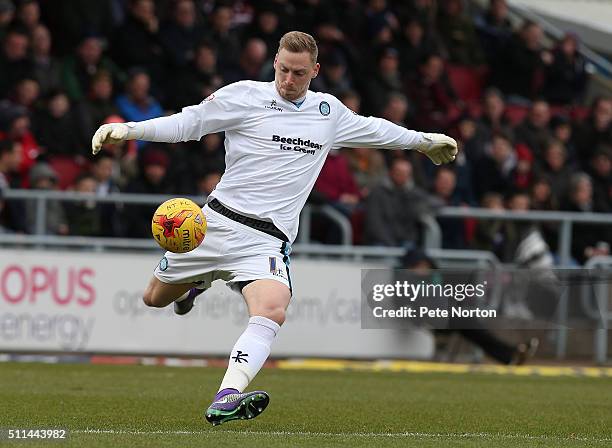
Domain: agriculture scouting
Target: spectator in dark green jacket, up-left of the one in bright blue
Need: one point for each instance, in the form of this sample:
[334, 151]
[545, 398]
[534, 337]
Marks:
[79, 70]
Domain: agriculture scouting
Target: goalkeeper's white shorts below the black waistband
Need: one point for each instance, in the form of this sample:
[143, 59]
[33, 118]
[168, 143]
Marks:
[231, 251]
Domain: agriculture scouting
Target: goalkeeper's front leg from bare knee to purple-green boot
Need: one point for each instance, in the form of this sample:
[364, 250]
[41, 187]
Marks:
[267, 301]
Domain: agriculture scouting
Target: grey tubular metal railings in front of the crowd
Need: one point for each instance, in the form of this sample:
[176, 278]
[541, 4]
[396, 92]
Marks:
[386, 256]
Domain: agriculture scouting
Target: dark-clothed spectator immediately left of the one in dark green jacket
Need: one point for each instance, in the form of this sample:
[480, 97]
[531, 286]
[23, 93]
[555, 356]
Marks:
[47, 69]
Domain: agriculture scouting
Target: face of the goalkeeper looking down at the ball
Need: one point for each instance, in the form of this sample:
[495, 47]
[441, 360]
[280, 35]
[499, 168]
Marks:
[293, 73]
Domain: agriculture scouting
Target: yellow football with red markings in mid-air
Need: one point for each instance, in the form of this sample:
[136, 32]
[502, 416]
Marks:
[178, 225]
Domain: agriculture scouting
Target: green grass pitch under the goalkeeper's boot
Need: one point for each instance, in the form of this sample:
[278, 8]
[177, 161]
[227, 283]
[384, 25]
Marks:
[154, 406]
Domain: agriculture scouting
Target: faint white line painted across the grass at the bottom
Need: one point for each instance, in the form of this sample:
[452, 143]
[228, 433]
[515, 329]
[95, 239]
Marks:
[394, 435]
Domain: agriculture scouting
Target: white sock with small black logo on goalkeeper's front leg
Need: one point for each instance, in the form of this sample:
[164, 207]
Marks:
[249, 353]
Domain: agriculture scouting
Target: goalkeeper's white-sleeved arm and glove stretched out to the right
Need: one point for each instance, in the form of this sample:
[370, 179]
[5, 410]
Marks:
[356, 131]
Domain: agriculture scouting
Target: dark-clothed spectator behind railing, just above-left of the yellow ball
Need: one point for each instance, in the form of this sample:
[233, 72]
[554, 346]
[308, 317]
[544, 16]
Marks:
[153, 180]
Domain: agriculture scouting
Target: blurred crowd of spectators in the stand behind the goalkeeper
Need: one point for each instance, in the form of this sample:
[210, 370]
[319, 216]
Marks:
[514, 103]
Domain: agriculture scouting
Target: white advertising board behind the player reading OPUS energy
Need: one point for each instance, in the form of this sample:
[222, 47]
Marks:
[75, 301]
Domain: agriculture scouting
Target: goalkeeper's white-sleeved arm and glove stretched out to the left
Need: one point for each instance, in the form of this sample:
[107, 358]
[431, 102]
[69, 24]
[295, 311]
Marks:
[224, 110]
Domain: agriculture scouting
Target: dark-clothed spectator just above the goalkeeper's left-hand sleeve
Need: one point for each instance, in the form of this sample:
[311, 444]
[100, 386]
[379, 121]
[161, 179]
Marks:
[198, 80]
